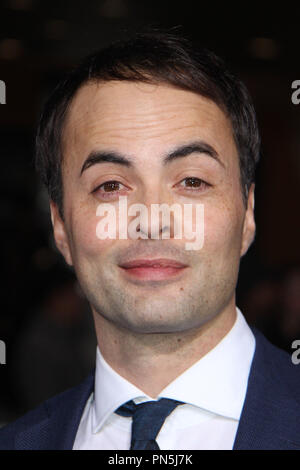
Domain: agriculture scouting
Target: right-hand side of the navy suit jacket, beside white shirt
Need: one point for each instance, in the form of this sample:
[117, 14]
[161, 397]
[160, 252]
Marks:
[271, 413]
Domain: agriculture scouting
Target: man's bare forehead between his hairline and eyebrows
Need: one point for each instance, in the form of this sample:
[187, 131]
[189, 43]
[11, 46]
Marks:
[132, 114]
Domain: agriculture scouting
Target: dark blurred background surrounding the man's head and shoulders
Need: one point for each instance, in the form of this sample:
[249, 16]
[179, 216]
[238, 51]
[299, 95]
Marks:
[45, 321]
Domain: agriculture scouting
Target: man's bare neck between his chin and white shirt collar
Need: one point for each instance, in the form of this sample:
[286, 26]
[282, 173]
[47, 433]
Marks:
[152, 361]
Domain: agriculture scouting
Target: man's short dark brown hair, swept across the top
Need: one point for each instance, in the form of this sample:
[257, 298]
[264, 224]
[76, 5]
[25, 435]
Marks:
[154, 57]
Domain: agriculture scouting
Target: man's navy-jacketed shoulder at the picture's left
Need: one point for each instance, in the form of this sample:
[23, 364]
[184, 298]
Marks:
[57, 417]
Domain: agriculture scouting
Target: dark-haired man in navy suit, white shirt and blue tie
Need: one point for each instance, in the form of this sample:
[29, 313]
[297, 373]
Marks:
[156, 121]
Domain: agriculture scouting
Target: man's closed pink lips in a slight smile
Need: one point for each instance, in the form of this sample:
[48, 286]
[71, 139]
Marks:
[153, 270]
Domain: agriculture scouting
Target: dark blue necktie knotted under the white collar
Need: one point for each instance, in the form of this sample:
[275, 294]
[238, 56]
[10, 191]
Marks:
[147, 419]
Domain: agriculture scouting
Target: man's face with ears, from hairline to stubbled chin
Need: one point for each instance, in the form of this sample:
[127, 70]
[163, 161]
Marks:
[144, 123]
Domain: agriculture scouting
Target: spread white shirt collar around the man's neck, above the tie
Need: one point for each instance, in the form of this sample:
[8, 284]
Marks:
[216, 383]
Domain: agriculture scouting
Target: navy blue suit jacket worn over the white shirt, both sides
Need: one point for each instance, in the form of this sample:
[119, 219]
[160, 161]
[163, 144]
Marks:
[270, 417]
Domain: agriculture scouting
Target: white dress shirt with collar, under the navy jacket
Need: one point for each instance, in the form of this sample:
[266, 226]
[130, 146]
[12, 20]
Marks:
[213, 389]
